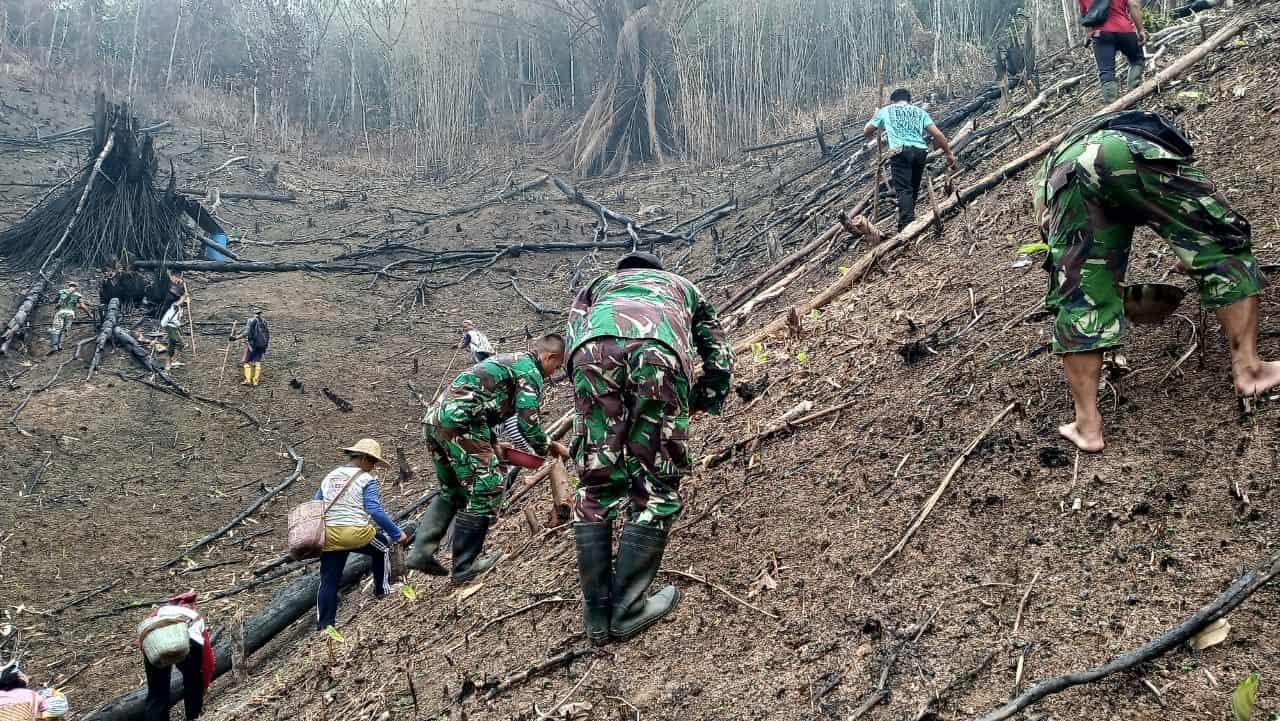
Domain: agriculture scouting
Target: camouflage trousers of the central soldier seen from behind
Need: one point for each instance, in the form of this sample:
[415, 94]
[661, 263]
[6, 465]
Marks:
[632, 399]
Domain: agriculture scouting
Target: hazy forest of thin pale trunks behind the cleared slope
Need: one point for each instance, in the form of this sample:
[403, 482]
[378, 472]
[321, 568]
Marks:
[602, 84]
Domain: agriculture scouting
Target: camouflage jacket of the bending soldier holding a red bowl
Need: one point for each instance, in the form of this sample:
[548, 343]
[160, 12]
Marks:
[491, 393]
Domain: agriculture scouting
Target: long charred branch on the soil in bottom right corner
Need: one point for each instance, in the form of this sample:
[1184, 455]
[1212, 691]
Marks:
[1236, 595]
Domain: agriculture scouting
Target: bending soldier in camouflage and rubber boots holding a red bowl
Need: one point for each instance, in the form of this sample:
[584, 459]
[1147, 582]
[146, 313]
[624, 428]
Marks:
[459, 431]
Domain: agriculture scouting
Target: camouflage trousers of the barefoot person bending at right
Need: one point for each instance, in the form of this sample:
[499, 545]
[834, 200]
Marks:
[1092, 221]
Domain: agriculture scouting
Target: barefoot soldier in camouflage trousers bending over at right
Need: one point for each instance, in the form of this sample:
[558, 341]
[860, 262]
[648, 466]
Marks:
[1092, 193]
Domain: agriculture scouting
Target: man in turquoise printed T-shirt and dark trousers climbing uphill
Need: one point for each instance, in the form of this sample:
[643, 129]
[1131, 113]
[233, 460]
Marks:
[906, 125]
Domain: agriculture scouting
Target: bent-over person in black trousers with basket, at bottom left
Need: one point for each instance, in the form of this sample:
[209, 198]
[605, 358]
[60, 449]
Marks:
[196, 665]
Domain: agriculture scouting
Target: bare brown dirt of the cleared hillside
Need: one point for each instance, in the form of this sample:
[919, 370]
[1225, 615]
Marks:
[1122, 546]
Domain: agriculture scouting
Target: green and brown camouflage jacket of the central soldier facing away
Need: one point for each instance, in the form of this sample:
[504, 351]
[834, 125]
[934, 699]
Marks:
[665, 308]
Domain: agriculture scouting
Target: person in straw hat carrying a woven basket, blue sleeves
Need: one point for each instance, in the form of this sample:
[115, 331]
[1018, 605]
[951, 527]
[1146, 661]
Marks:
[355, 523]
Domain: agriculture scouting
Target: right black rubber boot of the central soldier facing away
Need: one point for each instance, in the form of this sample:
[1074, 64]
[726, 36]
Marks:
[639, 558]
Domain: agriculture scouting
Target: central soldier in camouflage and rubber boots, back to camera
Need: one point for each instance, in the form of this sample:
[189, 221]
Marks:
[634, 337]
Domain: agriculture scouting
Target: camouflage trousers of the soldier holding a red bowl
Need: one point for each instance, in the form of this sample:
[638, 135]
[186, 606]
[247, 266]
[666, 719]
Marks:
[467, 467]
